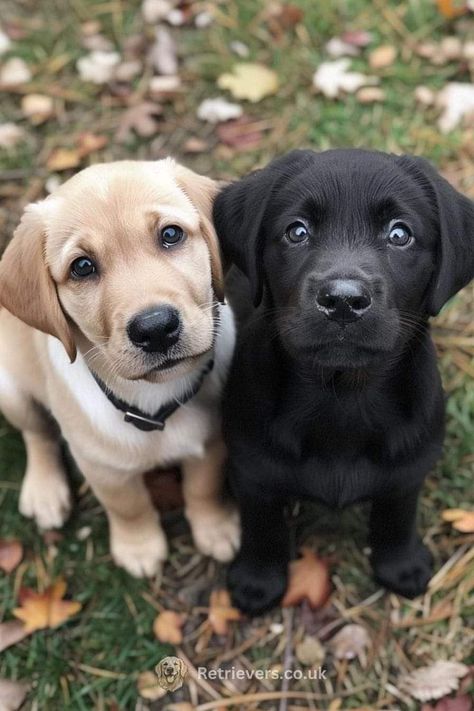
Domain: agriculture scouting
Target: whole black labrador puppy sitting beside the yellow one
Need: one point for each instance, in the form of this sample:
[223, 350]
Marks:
[334, 393]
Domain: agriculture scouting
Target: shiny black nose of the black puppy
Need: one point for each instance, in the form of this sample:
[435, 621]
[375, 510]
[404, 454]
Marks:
[343, 300]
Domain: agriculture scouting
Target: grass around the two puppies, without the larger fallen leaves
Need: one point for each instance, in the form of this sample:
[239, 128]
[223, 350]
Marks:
[93, 661]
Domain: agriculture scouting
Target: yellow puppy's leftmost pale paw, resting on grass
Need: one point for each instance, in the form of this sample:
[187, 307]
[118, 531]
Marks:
[45, 498]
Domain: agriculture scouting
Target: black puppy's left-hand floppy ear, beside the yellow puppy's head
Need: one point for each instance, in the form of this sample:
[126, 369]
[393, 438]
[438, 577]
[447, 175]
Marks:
[239, 212]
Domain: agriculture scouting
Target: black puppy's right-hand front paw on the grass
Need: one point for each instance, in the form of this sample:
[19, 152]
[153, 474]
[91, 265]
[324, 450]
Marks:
[406, 571]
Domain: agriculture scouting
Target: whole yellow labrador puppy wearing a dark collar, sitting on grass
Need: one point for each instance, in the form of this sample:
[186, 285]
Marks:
[114, 331]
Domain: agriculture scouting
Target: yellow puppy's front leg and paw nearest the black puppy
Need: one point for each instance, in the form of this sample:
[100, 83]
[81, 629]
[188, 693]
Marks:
[214, 522]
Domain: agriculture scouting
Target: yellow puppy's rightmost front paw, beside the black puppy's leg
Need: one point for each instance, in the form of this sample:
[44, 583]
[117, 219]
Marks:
[216, 532]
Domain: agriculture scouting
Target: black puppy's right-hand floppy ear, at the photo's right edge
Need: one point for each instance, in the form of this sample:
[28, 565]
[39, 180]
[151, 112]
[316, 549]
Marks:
[455, 259]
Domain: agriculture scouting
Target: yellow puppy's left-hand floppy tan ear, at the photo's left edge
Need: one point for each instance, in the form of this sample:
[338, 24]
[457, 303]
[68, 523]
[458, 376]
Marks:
[27, 288]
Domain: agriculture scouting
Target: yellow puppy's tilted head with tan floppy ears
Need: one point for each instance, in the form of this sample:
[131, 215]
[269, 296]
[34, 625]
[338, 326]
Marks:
[123, 259]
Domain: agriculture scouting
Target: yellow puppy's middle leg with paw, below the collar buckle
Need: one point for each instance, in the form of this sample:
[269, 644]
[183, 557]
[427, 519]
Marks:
[137, 541]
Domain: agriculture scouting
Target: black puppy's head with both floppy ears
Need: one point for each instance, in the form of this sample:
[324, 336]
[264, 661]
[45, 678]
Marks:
[350, 248]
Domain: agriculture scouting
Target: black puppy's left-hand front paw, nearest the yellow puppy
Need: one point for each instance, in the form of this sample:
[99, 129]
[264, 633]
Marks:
[256, 589]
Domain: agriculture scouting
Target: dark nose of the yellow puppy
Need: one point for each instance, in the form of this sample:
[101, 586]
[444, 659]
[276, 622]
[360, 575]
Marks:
[156, 329]
